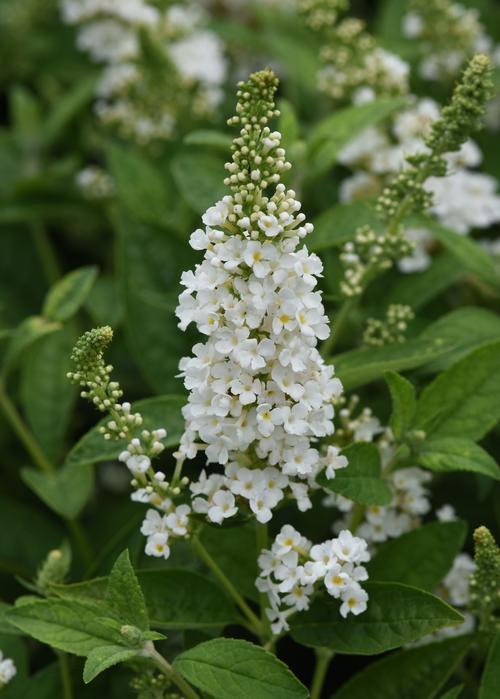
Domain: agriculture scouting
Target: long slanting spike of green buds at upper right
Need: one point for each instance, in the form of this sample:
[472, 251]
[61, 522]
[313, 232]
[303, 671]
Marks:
[370, 253]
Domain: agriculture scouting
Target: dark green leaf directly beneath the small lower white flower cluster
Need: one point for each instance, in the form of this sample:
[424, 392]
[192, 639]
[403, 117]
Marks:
[396, 614]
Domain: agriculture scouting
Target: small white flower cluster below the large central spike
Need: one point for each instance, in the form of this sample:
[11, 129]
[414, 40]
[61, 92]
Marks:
[293, 570]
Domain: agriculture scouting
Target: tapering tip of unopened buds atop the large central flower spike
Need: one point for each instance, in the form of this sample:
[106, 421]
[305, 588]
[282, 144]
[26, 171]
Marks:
[257, 159]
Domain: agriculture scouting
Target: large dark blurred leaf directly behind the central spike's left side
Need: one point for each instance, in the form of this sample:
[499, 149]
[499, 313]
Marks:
[151, 264]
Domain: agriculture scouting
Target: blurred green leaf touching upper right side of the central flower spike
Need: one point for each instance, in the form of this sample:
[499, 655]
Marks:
[337, 225]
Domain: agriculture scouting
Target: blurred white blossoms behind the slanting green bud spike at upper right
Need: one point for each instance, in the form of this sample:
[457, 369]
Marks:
[463, 200]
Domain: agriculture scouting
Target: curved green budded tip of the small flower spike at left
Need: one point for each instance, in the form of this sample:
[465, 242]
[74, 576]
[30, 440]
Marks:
[93, 375]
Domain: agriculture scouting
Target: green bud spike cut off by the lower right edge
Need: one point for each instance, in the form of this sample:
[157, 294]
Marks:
[485, 582]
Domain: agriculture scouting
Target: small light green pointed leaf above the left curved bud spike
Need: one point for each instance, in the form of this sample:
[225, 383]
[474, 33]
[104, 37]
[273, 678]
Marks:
[69, 294]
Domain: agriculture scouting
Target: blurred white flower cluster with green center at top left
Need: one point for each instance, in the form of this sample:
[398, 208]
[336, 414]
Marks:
[158, 64]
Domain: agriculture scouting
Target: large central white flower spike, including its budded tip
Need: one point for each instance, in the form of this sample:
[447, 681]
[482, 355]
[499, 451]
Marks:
[260, 395]
